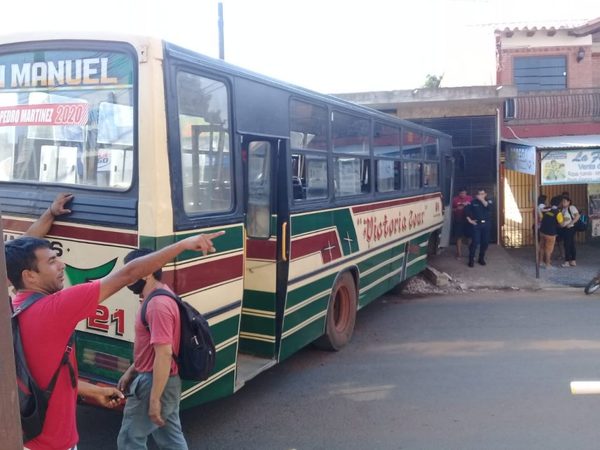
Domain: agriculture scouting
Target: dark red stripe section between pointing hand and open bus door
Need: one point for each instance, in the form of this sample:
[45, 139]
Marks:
[209, 273]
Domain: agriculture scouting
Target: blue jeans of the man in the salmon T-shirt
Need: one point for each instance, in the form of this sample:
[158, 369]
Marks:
[137, 426]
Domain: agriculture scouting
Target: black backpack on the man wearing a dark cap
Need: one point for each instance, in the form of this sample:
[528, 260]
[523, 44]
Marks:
[197, 353]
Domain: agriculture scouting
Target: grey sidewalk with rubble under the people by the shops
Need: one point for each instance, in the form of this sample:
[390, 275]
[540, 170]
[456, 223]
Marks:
[515, 269]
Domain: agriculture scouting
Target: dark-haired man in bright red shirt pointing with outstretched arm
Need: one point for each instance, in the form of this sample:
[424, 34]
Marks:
[46, 326]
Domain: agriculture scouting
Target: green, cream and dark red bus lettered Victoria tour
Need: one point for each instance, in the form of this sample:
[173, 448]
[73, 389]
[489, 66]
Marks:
[326, 205]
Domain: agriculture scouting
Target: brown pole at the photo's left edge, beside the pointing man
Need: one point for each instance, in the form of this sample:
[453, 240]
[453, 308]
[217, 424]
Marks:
[10, 421]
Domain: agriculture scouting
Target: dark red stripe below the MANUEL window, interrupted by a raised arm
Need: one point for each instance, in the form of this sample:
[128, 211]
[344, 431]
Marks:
[129, 239]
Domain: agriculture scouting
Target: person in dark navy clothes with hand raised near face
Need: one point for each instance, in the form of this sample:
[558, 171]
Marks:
[479, 215]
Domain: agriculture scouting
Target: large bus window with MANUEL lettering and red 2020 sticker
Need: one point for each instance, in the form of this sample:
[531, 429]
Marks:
[66, 117]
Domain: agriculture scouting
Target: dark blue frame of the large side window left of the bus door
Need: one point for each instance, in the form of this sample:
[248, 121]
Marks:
[181, 219]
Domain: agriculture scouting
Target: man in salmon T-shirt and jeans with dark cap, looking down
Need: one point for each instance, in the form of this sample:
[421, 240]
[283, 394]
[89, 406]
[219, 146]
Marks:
[152, 379]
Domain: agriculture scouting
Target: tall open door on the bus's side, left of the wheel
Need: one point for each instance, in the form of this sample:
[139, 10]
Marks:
[265, 254]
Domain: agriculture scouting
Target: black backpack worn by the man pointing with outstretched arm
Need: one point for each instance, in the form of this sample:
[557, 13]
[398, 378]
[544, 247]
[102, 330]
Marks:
[33, 400]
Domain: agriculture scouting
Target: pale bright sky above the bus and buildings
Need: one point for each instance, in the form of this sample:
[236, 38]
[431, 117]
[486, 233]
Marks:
[330, 46]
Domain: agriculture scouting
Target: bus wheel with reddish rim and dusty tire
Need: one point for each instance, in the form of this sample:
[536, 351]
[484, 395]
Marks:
[341, 314]
